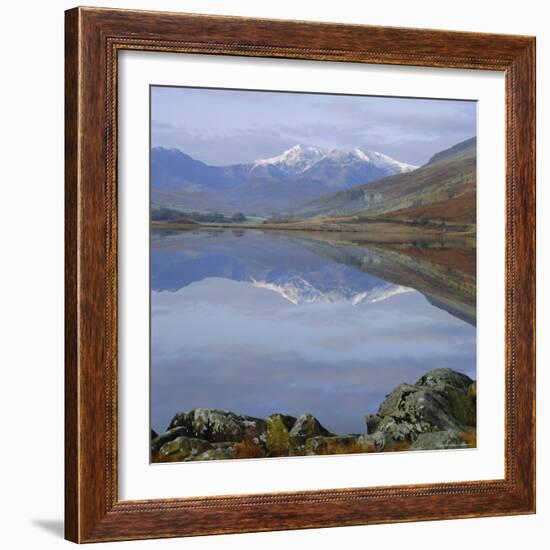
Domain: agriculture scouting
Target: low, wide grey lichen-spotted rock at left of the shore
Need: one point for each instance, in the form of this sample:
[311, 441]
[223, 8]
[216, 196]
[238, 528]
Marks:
[214, 425]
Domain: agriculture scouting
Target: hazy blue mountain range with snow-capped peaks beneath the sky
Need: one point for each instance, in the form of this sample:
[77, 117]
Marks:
[299, 175]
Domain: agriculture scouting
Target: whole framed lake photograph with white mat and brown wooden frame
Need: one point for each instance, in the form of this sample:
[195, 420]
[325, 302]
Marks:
[300, 275]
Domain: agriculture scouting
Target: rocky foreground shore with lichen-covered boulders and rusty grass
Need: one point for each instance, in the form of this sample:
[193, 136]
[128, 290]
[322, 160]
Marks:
[437, 412]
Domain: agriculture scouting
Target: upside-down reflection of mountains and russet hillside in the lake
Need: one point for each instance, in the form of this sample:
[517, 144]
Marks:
[310, 267]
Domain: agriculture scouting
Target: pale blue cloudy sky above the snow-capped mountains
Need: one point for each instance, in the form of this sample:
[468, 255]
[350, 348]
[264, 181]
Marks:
[222, 127]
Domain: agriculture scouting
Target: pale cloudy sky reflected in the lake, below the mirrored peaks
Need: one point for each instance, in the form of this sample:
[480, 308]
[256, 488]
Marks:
[232, 346]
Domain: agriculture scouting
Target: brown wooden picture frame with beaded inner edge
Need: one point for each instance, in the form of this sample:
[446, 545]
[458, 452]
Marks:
[93, 39]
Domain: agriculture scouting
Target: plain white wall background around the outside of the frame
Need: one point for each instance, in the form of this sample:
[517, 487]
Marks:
[31, 218]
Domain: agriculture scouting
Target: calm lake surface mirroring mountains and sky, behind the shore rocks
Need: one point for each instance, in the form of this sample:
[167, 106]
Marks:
[257, 322]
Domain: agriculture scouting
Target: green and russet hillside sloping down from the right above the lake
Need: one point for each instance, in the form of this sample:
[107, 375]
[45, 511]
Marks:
[444, 189]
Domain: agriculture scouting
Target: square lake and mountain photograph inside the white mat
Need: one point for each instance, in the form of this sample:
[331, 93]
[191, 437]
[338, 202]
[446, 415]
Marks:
[312, 274]
